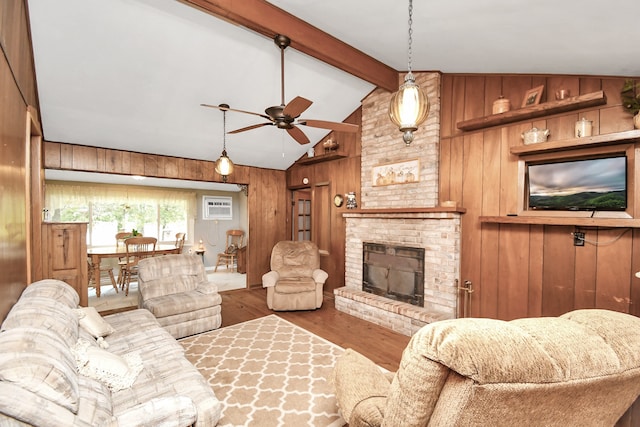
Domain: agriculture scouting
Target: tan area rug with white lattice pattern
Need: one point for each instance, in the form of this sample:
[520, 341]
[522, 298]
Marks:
[268, 372]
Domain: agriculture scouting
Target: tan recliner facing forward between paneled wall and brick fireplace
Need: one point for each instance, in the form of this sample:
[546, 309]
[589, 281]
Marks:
[295, 281]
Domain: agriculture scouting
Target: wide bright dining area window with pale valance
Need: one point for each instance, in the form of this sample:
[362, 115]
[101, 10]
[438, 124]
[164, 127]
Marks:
[159, 213]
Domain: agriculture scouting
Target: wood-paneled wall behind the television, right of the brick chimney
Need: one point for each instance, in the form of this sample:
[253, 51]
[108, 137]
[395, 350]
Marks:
[520, 270]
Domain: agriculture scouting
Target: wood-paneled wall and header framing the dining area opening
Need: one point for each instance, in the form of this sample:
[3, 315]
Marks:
[267, 200]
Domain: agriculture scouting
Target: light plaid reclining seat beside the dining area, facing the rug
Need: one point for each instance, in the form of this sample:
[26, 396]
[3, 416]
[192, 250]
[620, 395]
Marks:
[175, 289]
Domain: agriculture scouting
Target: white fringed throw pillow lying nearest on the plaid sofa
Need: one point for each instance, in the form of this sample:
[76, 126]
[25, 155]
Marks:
[114, 371]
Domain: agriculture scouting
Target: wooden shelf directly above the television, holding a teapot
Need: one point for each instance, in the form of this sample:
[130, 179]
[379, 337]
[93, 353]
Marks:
[631, 136]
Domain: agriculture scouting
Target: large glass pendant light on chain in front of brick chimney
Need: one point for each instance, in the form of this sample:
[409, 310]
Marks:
[409, 106]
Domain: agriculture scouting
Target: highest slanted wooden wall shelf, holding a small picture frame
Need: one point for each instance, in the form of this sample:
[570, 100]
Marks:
[545, 109]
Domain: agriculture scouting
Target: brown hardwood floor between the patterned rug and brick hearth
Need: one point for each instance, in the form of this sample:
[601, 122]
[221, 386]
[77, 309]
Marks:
[381, 345]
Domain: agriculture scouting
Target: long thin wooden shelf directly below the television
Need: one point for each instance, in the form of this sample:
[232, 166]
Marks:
[547, 220]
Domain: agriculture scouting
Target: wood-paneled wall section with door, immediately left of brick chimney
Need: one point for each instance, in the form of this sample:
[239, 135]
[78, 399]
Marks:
[342, 176]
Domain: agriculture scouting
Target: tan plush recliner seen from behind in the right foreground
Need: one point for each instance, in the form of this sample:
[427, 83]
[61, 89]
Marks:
[579, 369]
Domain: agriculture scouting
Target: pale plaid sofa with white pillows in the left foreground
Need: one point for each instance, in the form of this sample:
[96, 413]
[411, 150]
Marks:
[44, 342]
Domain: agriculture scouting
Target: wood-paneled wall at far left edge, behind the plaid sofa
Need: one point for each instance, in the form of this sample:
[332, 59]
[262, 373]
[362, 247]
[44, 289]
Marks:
[18, 89]
